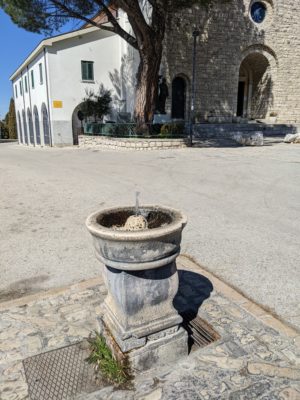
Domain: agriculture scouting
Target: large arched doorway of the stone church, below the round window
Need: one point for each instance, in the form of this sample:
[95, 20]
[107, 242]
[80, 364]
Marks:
[255, 96]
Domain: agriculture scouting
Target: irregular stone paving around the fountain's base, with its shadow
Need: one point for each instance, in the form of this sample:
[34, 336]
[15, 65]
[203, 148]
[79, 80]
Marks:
[257, 356]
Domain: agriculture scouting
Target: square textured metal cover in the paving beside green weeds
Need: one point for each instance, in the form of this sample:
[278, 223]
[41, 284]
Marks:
[60, 374]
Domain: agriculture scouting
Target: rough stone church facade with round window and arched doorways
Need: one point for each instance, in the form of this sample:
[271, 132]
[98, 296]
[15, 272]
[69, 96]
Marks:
[247, 61]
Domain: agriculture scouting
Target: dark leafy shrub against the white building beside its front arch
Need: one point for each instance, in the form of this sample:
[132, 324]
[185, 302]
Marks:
[96, 105]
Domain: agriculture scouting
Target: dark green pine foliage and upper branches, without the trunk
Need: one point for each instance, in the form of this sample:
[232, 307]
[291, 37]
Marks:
[47, 16]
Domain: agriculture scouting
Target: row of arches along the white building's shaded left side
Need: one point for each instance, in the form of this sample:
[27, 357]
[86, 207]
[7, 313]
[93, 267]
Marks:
[29, 130]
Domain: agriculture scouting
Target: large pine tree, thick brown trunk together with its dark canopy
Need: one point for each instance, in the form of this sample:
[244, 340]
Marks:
[47, 16]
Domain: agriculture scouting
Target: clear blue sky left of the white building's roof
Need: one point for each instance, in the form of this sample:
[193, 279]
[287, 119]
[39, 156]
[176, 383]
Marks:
[15, 45]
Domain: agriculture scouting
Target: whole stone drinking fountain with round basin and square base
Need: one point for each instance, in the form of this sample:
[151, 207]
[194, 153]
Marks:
[138, 248]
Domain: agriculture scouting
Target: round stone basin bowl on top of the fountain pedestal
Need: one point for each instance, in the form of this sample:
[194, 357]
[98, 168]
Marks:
[137, 250]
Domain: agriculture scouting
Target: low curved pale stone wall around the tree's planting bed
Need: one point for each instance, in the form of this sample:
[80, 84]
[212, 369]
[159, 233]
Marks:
[131, 143]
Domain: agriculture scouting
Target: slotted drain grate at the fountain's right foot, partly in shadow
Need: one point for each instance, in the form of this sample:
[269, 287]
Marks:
[200, 332]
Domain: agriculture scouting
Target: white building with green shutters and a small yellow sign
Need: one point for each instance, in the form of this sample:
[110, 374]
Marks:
[54, 78]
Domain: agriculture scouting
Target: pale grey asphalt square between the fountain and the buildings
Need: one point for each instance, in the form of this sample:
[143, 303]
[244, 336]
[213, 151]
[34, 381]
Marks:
[243, 206]
